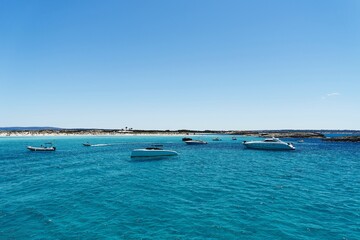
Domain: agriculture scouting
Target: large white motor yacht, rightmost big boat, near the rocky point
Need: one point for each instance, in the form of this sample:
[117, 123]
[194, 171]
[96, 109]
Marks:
[269, 144]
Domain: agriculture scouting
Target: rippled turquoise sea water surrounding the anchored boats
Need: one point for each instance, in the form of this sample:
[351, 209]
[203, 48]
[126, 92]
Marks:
[214, 191]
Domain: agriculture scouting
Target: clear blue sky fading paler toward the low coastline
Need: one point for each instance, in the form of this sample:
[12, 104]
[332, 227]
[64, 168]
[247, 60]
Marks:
[180, 64]
